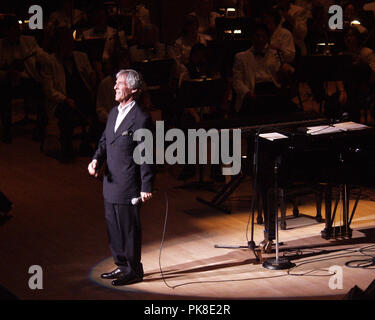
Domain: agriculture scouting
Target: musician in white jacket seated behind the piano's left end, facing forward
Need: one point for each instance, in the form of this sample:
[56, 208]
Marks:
[256, 78]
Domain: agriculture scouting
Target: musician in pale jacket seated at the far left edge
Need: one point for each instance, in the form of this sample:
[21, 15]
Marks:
[19, 74]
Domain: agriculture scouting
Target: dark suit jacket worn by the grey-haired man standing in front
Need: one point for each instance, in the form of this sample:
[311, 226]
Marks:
[124, 179]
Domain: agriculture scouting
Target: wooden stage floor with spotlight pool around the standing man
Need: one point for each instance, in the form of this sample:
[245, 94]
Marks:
[58, 223]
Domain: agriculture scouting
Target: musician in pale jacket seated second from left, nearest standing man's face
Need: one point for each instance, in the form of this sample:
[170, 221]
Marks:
[68, 82]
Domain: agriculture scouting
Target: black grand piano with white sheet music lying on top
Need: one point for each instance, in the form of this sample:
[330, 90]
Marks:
[336, 157]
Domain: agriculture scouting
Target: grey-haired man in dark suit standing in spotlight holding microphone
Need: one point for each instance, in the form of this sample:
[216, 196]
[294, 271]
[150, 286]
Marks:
[124, 179]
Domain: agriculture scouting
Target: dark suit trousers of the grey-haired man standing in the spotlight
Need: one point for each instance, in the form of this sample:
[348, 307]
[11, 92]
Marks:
[125, 237]
